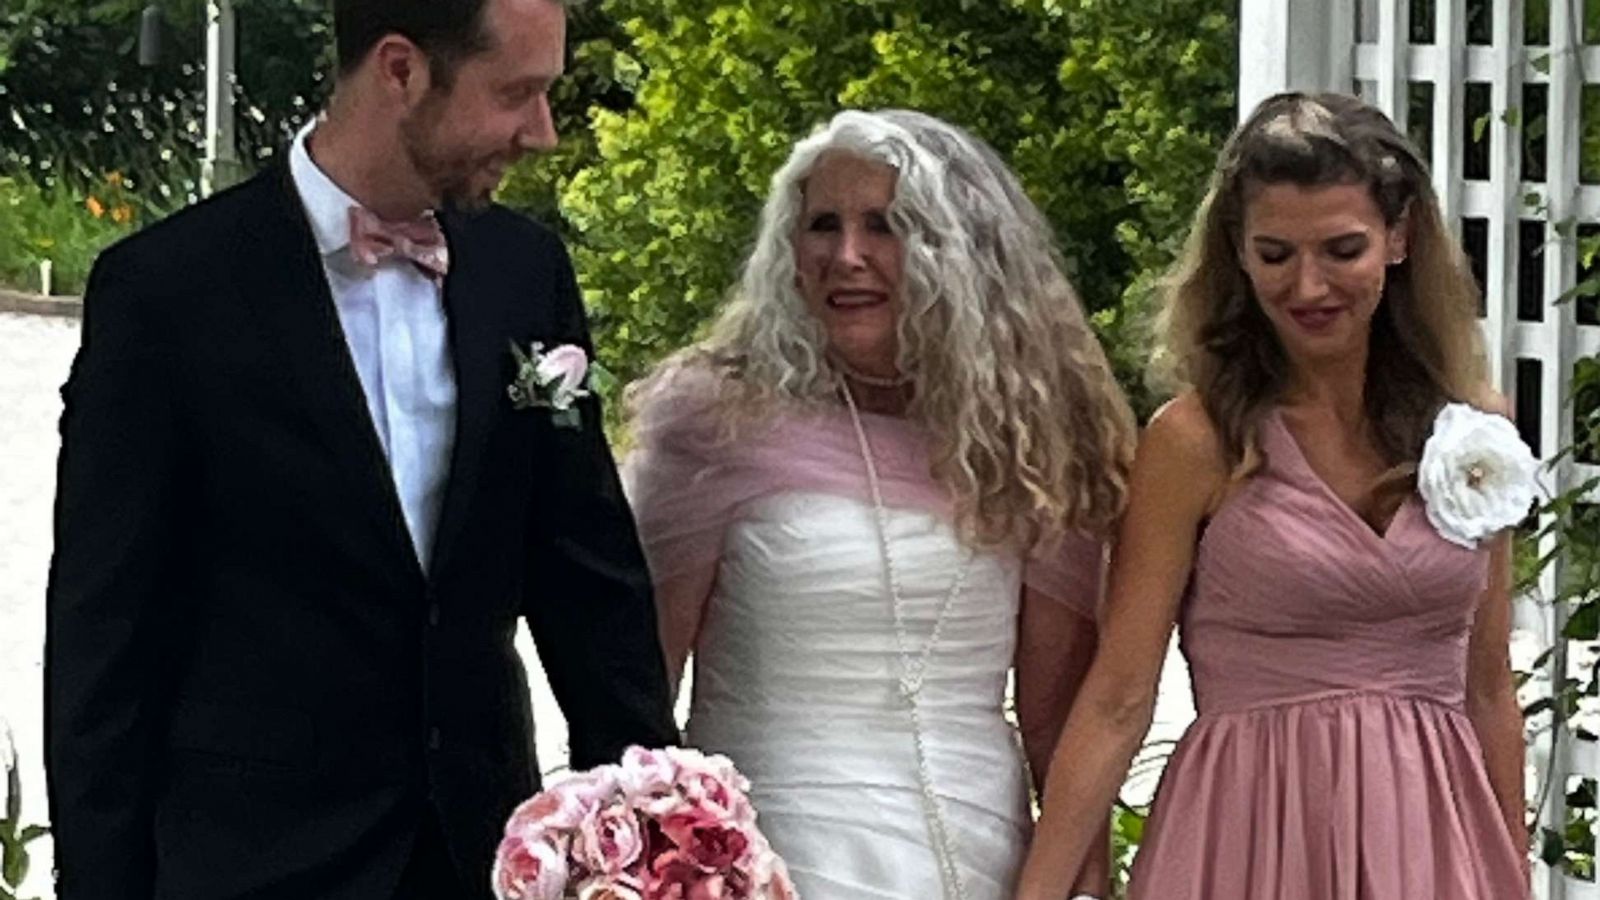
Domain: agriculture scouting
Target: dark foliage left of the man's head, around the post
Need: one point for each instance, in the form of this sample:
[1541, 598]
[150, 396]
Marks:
[76, 105]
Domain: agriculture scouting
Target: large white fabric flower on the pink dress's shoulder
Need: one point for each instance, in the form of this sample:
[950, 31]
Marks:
[1478, 476]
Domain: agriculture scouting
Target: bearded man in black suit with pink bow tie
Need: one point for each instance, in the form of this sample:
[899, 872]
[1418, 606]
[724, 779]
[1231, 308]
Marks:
[298, 513]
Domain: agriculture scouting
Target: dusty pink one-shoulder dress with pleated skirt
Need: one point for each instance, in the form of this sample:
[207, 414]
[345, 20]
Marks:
[1332, 758]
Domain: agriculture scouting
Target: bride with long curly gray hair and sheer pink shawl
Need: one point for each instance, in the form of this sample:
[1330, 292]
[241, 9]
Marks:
[870, 497]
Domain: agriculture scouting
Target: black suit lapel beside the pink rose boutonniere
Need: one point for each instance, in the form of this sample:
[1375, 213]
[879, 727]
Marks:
[479, 350]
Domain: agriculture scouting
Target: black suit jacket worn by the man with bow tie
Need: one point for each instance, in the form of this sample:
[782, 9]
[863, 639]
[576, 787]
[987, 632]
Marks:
[252, 686]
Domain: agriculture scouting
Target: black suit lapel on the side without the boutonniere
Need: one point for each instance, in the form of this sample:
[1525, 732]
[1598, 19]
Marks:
[282, 279]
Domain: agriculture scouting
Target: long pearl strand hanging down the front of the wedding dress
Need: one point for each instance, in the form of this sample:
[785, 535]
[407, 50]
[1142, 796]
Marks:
[914, 670]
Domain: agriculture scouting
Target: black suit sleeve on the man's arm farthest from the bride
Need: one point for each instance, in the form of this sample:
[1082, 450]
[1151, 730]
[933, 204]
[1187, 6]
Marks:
[114, 524]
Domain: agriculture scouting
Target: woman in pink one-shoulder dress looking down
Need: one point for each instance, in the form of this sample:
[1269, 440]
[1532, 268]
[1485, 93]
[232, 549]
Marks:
[1359, 736]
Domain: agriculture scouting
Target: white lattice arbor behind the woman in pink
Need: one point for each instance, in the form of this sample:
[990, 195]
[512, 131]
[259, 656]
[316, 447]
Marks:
[1498, 94]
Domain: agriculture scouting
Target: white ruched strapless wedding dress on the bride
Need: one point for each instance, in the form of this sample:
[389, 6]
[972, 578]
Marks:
[798, 678]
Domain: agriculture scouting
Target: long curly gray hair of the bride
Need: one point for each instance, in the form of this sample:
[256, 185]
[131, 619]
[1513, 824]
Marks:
[1030, 430]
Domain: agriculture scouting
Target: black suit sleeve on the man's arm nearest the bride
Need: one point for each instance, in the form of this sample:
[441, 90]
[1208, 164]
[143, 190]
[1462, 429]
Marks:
[590, 601]
